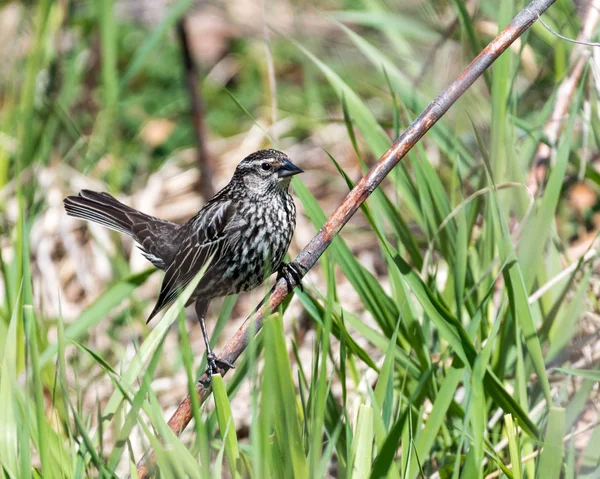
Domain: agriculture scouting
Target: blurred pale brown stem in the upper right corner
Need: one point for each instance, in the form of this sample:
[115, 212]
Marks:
[566, 91]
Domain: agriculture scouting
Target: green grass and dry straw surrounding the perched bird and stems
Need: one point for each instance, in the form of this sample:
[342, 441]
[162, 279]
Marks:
[451, 330]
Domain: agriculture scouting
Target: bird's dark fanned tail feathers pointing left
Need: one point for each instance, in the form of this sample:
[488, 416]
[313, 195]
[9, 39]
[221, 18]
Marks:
[103, 209]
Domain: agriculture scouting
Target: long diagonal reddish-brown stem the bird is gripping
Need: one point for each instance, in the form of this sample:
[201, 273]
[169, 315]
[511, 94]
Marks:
[311, 253]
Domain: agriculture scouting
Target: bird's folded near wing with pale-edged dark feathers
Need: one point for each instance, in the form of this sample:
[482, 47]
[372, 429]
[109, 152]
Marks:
[211, 233]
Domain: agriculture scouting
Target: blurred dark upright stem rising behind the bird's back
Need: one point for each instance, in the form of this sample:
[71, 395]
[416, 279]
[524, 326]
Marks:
[197, 113]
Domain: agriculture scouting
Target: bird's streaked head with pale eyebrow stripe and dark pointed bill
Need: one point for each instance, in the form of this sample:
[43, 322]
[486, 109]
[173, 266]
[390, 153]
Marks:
[266, 170]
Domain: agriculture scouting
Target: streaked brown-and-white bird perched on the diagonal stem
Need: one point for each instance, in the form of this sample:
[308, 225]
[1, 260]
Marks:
[247, 226]
